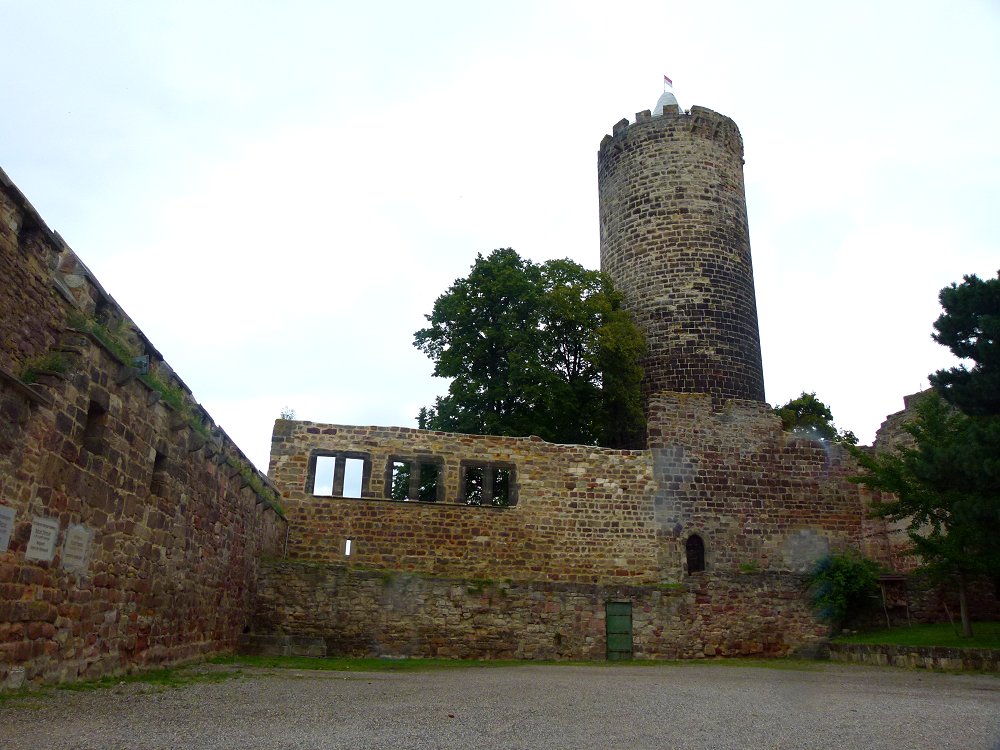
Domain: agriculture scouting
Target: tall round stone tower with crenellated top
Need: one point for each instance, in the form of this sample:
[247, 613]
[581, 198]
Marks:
[674, 239]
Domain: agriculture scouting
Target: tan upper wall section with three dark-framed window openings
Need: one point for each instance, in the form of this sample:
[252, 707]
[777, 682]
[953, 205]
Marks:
[582, 513]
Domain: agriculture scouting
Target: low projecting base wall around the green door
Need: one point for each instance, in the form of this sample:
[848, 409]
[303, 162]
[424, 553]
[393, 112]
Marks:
[333, 609]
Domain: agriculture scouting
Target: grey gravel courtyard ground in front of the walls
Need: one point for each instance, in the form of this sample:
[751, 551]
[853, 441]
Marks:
[686, 706]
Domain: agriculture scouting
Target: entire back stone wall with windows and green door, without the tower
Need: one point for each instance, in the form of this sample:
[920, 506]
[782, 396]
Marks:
[589, 525]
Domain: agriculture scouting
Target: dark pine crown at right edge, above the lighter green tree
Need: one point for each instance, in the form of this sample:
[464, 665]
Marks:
[970, 327]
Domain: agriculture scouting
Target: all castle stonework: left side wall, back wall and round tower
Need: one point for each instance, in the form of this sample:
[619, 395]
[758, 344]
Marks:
[133, 531]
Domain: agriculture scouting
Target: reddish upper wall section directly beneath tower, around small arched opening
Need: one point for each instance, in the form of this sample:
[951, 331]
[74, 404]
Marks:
[760, 497]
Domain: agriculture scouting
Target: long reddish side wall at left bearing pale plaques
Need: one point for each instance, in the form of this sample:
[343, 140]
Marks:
[131, 526]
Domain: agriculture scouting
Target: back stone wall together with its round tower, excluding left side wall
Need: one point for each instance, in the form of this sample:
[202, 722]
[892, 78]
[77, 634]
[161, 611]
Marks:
[703, 537]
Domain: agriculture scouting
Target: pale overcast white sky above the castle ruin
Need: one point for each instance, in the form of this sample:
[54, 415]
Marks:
[276, 192]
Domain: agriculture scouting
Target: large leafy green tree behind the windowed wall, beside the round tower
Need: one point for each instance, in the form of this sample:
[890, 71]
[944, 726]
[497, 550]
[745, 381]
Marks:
[534, 349]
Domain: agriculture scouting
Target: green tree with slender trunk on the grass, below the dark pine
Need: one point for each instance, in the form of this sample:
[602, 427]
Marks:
[946, 487]
